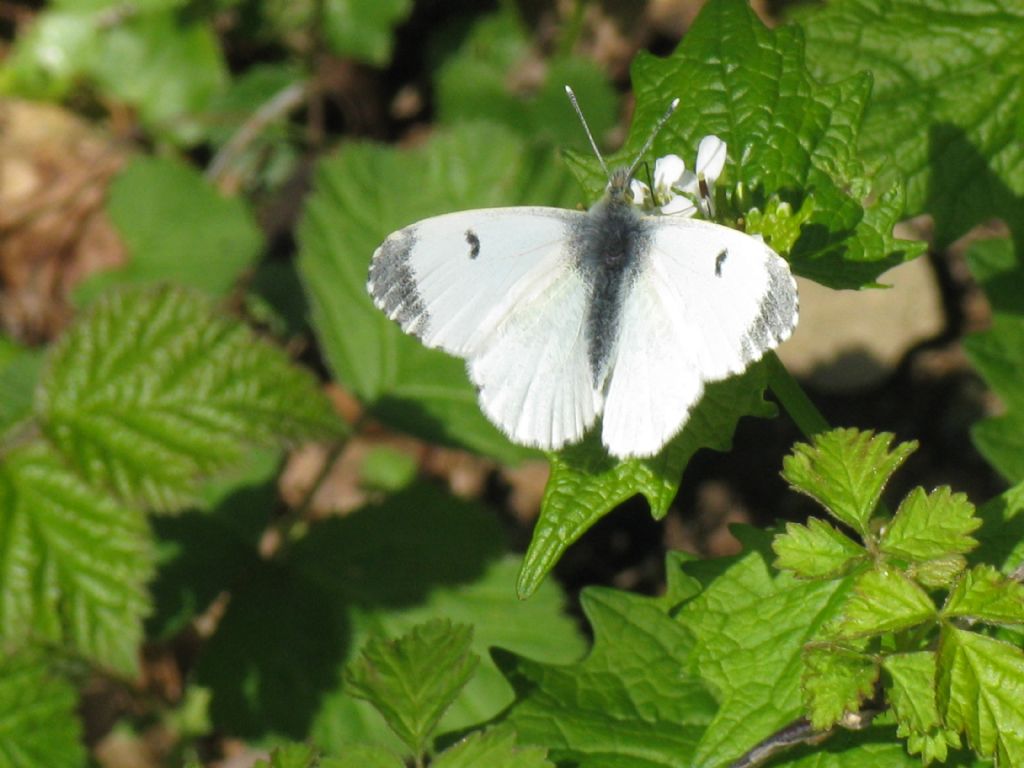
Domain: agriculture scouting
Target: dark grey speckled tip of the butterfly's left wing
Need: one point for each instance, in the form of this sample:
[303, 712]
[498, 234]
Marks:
[393, 282]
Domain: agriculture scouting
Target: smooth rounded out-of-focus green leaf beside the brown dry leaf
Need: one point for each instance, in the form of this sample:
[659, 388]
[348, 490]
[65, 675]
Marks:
[148, 203]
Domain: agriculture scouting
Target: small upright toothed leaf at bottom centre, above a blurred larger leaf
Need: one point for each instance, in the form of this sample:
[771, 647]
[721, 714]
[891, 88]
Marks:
[414, 679]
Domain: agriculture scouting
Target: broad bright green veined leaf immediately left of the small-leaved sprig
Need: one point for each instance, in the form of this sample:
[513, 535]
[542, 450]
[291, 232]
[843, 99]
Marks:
[751, 628]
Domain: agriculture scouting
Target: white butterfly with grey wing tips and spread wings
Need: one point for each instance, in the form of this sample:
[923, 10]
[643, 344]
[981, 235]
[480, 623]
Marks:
[564, 317]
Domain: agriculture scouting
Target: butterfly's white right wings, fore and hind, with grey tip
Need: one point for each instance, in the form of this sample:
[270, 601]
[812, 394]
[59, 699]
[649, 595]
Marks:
[707, 303]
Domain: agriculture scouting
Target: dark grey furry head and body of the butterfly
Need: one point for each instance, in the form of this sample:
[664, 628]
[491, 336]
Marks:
[609, 245]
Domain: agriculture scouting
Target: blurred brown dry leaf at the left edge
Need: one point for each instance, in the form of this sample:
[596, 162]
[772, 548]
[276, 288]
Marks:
[55, 170]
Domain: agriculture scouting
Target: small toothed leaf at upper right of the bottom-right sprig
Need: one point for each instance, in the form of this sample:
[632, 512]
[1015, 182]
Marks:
[931, 526]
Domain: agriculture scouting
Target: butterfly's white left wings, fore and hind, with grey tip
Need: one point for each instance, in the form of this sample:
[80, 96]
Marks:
[498, 287]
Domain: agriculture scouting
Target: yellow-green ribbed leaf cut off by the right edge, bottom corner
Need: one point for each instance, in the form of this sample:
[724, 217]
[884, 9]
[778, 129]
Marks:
[980, 688]
